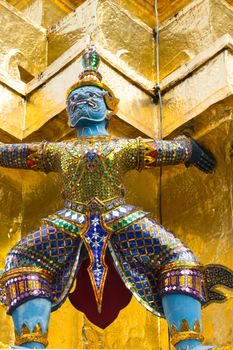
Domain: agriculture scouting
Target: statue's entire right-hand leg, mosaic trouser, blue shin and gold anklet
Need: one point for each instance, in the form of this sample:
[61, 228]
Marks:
[164, 275]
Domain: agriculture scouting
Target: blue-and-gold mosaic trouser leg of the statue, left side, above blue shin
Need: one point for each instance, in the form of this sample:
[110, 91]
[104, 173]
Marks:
[49, 249]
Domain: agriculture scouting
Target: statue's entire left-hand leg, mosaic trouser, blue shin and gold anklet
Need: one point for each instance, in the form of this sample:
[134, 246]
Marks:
[36, 274]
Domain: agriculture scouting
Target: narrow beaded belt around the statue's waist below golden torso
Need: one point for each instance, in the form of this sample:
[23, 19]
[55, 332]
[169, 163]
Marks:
[95, 205]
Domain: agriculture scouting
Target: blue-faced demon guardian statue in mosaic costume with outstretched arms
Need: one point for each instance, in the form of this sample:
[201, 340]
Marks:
[96, 225]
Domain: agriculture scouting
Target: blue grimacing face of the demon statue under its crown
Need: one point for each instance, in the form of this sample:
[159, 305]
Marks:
[86, 106]
